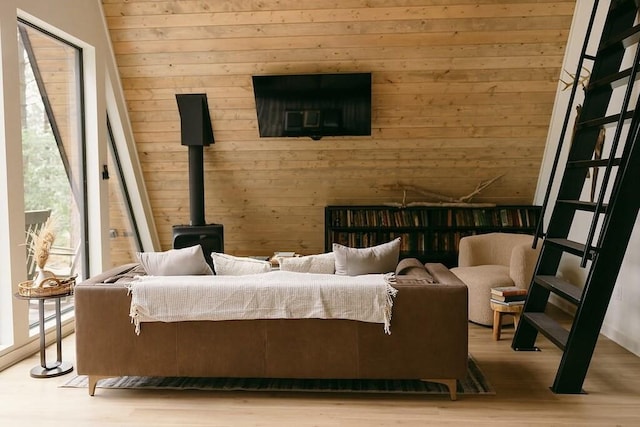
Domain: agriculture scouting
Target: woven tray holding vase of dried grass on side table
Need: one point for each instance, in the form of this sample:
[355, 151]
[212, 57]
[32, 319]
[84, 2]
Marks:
[45, 283]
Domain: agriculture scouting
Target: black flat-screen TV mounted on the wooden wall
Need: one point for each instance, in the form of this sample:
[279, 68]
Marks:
[313, 105]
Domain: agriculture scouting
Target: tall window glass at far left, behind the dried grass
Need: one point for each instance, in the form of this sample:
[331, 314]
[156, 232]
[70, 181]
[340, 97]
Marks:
[53, 150]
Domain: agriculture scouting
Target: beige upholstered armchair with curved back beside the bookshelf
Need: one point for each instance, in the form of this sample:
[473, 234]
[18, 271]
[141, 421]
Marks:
[486, 261]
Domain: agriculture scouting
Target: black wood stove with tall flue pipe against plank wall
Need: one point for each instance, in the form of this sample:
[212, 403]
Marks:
[196, 133]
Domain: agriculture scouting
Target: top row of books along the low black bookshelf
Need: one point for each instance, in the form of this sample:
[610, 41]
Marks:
[504, 217]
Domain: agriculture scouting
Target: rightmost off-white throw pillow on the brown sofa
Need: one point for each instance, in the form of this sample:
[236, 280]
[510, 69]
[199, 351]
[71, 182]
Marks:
[374, 260]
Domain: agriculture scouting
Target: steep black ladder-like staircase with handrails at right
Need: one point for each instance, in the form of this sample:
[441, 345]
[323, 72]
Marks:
[615, 160]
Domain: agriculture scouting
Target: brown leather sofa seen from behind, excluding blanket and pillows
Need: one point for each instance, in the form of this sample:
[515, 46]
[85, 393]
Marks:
[428, 337]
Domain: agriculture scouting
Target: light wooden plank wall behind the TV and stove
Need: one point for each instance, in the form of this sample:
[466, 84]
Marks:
[462, 92]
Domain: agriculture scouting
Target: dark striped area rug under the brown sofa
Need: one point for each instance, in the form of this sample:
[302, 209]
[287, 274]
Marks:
[474, 383]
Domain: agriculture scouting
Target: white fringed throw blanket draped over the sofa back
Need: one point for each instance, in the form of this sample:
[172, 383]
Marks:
[272, 295]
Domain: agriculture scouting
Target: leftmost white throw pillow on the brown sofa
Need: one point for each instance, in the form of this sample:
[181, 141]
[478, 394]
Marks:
[175, 262]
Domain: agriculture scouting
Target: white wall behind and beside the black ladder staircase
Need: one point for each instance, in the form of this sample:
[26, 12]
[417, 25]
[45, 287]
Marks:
[622, 322]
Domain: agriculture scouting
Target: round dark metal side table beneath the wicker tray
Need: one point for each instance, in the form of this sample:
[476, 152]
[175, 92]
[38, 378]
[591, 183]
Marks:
[47, 370]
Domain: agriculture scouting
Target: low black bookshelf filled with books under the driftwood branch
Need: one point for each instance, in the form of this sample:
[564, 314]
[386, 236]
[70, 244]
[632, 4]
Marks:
[429, 233]
